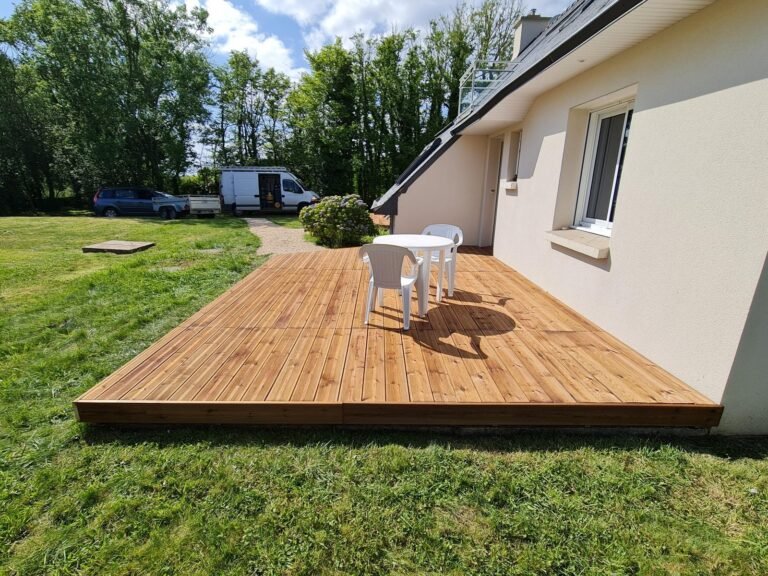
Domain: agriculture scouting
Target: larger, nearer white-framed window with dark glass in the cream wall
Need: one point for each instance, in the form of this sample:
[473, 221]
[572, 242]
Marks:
[607, 137]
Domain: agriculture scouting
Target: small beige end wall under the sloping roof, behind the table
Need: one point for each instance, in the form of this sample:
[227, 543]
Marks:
[448, 192]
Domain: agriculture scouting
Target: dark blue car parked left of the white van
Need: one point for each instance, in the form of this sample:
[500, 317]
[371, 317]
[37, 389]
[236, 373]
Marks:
[134, 201]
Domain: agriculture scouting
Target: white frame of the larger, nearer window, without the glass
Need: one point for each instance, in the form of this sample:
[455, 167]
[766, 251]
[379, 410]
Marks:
[581, 221]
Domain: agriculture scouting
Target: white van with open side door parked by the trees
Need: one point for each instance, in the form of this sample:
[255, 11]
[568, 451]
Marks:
[263, 189]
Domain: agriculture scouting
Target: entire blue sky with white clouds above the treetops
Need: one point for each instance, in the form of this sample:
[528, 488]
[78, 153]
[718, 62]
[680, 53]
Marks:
[278, 32]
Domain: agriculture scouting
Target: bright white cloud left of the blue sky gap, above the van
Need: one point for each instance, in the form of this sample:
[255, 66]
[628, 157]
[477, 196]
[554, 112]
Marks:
[235, 29]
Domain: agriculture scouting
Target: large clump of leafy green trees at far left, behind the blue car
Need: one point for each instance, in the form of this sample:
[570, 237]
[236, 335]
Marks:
[109, 91]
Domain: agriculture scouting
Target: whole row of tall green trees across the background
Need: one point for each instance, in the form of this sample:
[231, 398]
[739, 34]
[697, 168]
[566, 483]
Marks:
[99, 92]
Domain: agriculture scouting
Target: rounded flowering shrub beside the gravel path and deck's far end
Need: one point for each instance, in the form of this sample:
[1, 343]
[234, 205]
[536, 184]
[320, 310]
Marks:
[338, 221]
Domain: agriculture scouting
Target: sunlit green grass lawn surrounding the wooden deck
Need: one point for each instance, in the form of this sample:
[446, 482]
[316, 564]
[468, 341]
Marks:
[201, 500]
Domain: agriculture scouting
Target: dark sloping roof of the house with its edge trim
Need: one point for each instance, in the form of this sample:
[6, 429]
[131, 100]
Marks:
[564, 32]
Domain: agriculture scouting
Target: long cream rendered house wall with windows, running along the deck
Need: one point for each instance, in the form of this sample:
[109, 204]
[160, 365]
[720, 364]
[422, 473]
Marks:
[690, 234]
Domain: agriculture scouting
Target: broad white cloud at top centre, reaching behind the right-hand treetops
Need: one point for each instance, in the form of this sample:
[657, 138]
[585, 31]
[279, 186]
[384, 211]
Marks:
[323, 20]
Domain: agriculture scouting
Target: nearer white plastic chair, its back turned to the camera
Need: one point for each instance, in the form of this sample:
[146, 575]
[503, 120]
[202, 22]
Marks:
[385, 263]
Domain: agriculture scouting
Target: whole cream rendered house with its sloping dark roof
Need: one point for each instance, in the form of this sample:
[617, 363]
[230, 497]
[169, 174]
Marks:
[621, 164]
